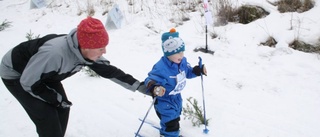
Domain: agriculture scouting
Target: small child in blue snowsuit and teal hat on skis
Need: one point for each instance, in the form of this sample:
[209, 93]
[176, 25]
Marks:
[167, 79]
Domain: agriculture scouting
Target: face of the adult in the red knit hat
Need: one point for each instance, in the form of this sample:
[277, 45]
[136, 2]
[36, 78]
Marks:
[93, 54]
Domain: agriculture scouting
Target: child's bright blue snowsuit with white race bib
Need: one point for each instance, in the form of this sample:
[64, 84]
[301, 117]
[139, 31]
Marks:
[164, 73]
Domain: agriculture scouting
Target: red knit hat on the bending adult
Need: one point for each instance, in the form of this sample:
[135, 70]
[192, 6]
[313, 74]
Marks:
[92, 34]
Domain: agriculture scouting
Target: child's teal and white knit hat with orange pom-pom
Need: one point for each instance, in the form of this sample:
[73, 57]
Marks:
[172, 43]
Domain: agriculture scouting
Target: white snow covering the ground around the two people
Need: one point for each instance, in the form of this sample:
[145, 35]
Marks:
[250, 91]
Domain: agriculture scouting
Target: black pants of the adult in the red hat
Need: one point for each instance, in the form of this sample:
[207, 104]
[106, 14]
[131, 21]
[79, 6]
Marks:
[50, 121]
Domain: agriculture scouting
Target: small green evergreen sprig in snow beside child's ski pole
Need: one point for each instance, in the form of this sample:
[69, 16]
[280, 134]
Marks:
[194, 113]
